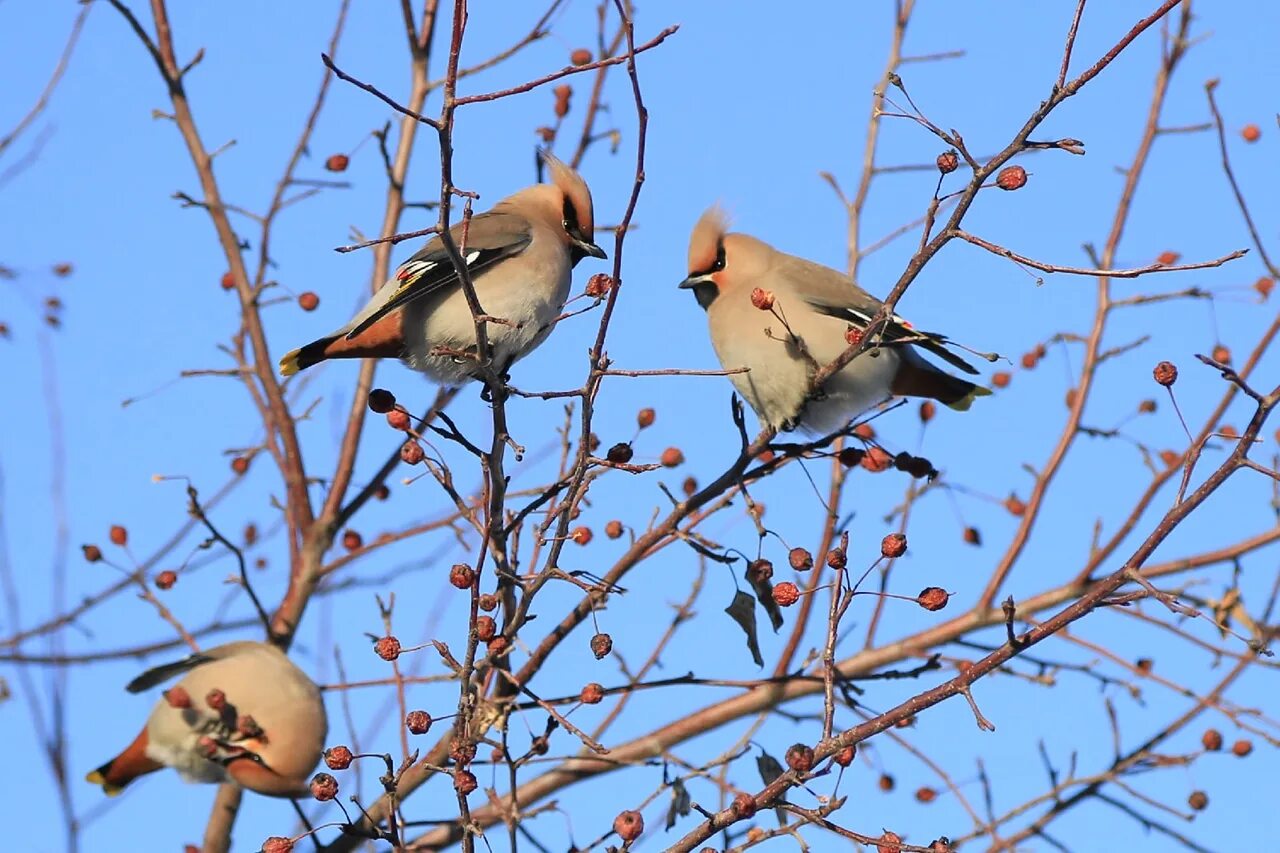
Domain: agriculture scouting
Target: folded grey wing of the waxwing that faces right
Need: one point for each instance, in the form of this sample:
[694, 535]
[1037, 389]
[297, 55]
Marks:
[490, 239]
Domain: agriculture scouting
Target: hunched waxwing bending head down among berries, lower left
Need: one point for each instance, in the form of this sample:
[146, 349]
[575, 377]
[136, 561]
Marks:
[243, 713]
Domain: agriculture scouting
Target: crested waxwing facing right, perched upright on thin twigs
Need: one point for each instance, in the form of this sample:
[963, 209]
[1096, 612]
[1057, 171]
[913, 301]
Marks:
[520, 257]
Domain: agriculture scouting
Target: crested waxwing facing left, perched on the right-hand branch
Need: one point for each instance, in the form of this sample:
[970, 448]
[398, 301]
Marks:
[804, 329]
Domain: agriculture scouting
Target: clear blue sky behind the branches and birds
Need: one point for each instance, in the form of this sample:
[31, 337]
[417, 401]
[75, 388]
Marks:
[748, 106]
